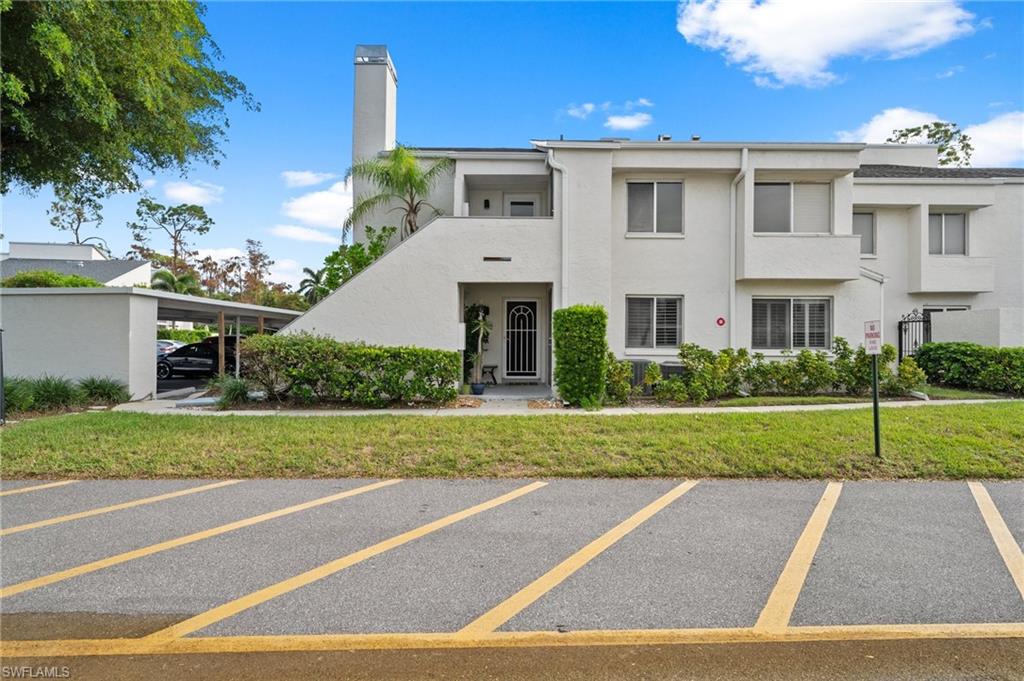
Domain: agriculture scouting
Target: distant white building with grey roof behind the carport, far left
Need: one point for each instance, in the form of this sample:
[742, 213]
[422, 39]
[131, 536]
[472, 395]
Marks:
[82, 260]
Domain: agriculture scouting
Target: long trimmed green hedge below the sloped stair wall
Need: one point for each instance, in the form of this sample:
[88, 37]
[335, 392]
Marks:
[318, 369]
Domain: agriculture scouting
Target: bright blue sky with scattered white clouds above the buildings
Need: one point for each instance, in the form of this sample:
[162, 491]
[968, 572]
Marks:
[477, 74]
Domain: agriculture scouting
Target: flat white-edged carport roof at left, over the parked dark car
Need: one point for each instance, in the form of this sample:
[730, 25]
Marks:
[179, 308]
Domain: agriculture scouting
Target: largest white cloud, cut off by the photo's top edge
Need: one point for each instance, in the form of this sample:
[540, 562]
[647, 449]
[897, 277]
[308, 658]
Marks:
[793, 42]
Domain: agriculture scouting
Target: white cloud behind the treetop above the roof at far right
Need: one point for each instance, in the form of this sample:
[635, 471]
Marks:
[999, 142]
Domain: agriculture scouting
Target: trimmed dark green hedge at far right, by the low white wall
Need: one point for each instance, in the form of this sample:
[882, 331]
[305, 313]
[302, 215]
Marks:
[973, 367]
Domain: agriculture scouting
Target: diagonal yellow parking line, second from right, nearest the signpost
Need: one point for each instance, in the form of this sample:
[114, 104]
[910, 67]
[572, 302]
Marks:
[776, 616]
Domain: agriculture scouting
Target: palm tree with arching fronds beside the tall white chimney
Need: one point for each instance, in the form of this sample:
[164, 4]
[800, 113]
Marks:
[400, 180]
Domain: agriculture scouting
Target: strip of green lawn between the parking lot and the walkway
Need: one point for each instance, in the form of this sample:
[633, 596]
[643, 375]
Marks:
[930, 442]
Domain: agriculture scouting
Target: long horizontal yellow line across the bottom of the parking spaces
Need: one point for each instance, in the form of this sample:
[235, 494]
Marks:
[327, 643]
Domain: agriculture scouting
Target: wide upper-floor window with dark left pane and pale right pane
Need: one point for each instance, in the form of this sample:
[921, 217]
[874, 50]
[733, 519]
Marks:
[792, 207]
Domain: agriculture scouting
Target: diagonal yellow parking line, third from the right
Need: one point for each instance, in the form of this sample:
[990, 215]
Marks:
[519, 602]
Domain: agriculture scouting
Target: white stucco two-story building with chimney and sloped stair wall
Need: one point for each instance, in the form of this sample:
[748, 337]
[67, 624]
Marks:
[763, 245]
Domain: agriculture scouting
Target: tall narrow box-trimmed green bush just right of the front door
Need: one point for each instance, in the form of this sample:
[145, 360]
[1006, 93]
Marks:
[581, 353]
